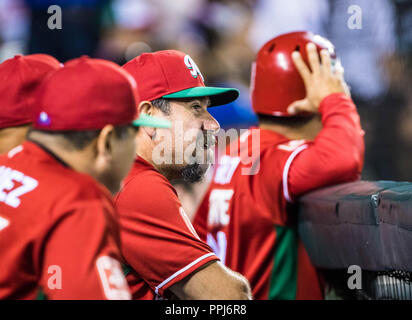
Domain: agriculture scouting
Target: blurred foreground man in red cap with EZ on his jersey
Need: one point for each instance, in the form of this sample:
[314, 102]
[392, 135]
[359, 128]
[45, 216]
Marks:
[58, 229]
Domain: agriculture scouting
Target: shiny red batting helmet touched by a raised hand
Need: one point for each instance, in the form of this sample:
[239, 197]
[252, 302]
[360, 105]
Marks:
[276, 82]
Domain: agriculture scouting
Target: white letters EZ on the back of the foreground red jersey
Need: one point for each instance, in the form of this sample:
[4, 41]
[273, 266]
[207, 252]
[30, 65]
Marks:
[8, 178]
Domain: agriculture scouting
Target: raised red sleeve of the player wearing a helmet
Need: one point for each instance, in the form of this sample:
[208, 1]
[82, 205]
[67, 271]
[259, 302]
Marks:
[336, 154]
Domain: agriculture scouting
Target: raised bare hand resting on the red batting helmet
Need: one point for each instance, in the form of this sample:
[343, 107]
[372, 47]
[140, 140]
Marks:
[320, 80]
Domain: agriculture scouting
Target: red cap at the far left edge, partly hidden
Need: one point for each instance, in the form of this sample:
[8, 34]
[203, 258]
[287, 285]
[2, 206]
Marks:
[19, 78]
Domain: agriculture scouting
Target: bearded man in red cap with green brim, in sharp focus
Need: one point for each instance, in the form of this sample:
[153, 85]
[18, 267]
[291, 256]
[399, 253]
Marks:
[165, 257]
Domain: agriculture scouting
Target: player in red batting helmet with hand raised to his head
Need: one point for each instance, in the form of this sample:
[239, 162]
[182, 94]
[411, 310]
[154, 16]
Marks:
[309, 137]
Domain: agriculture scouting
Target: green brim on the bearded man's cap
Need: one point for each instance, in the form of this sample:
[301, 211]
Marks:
[218, 96]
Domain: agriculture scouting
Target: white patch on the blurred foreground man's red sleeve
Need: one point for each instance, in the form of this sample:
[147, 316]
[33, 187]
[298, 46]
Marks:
[111, 275]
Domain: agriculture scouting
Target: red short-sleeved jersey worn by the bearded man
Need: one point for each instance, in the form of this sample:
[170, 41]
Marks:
[158, 240]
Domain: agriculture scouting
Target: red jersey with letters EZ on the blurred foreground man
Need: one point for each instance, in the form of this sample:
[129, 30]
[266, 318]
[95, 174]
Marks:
[58, 233]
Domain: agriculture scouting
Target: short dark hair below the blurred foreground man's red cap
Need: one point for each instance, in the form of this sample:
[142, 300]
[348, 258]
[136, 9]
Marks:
[78, 140]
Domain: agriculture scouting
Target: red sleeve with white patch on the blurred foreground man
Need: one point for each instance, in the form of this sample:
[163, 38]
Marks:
[81, 258]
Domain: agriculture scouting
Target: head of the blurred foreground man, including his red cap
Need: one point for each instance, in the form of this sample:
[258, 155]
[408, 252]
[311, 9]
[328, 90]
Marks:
[84, 115]
